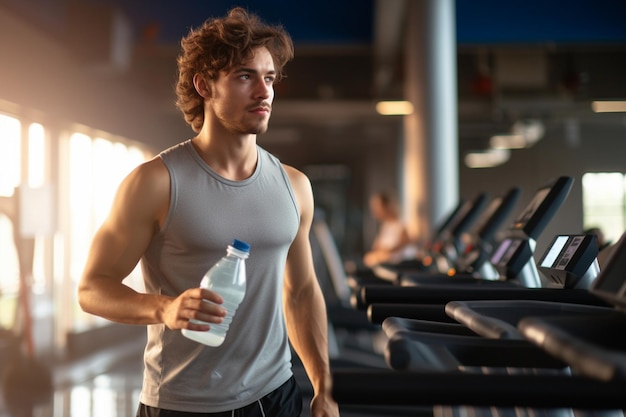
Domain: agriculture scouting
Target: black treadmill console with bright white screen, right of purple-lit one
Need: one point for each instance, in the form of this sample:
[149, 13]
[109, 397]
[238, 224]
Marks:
[570, 259]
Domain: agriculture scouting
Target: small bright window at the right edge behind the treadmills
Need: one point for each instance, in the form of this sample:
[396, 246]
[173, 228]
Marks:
[604, 203]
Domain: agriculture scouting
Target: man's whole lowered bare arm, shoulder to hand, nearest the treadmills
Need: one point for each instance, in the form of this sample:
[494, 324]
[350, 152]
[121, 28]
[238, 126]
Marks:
[305, 309]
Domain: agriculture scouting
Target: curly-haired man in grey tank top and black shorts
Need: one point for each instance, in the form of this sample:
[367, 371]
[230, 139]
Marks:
[178, 212]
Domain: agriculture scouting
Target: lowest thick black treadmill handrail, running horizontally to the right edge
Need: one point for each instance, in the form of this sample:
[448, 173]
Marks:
[392, 388]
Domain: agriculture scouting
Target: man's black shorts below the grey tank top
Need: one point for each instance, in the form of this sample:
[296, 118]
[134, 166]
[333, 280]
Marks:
[285, 401]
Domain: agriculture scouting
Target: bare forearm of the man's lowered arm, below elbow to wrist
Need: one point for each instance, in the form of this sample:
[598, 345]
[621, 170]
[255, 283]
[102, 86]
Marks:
[308, 332]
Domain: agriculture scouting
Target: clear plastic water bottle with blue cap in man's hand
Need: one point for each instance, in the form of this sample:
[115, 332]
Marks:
[227, 278]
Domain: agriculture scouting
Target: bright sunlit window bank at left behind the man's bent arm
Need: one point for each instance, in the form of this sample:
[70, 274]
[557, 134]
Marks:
[67, 182]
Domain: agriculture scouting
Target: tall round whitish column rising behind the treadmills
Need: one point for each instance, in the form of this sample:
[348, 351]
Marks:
[431, 184]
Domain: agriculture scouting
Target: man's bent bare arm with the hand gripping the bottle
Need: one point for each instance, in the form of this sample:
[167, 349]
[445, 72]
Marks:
[138, 210]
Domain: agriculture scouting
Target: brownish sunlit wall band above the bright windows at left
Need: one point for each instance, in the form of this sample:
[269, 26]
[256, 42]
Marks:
[37, 74]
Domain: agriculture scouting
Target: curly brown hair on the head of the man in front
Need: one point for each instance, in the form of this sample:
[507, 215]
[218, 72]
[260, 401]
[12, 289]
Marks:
[219, 45]
